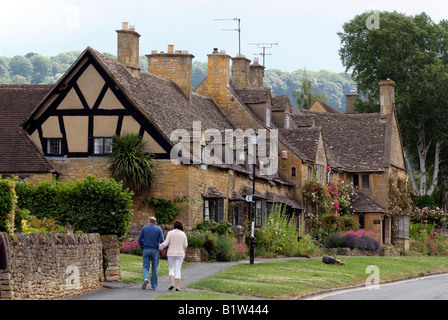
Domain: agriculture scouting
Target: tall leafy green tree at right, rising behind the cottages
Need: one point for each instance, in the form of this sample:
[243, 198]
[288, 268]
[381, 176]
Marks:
[412, 51]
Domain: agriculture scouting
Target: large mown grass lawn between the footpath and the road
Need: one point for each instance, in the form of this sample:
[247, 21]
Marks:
[295, 278]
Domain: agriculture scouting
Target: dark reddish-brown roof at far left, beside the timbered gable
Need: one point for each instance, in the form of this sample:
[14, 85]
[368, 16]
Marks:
[17, 153]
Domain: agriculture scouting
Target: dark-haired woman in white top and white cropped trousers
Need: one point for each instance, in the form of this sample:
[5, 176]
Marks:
[176, 241]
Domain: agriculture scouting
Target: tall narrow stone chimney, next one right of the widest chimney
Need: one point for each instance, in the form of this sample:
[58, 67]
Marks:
[218, 75]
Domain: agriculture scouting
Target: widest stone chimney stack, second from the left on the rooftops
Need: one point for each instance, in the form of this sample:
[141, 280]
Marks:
[173, 65]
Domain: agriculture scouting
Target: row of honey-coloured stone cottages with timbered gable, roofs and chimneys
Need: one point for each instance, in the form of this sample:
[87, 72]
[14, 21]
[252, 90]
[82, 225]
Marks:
[66, 130]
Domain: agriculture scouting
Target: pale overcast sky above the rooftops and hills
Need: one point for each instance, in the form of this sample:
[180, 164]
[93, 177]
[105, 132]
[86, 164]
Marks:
[305, 31]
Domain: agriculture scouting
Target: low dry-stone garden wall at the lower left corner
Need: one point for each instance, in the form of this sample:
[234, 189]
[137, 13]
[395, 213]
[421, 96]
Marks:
[51, 266]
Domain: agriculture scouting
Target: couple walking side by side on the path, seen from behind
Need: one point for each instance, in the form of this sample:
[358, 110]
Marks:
[151, 240]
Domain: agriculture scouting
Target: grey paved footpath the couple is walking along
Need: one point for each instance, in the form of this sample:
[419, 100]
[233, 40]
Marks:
[119, 291]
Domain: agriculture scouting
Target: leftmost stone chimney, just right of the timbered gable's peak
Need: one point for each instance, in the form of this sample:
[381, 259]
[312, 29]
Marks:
[128, 48]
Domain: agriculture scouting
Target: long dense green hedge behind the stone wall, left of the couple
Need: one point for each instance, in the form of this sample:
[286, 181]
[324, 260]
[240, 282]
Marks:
[90, 205]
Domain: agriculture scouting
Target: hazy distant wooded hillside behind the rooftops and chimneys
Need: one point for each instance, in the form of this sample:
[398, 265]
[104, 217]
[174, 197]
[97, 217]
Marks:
[36, 69]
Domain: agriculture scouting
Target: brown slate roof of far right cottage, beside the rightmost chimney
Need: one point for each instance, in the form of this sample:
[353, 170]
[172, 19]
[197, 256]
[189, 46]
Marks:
[353, 142]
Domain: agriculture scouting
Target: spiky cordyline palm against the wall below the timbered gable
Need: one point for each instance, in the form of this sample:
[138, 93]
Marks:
[130, 164]
